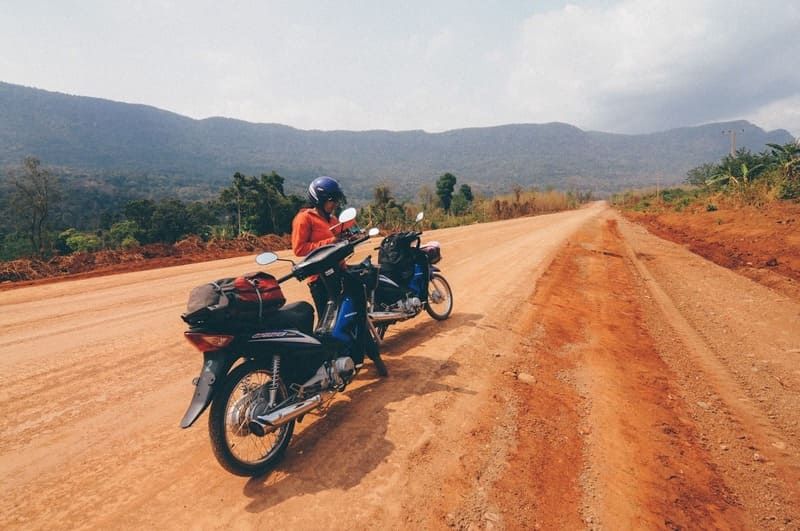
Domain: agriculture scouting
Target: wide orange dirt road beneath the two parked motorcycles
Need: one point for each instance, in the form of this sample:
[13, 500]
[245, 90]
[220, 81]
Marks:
[591, 376]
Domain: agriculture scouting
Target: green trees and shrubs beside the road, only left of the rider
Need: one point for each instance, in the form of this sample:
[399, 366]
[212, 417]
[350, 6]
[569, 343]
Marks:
[250, 205]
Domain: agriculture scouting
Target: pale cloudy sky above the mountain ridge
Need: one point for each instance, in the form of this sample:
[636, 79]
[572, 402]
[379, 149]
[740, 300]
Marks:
[623, 66]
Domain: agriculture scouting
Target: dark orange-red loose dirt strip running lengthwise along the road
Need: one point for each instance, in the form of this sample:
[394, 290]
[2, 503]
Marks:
[604, 438]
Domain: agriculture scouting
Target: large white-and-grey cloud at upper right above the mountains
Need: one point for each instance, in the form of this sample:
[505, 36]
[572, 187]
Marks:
[640, 65]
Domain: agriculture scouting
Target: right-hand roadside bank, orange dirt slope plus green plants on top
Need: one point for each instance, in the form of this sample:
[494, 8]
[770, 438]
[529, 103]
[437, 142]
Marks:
[740, 213]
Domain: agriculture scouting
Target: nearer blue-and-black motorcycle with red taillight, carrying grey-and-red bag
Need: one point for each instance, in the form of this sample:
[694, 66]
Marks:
[287, 370]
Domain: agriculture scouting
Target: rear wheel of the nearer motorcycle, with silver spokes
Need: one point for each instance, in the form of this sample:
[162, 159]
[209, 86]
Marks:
[239, 450]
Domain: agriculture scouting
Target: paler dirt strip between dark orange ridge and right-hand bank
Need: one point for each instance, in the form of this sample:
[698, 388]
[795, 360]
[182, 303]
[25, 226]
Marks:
[745, 419]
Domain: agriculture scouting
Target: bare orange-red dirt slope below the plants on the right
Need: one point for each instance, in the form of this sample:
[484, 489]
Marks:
[761, 243]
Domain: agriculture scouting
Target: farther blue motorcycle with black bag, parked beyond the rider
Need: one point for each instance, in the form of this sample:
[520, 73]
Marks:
[408, 281]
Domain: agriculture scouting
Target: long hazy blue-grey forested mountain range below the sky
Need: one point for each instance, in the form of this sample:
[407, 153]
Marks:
[100, 137]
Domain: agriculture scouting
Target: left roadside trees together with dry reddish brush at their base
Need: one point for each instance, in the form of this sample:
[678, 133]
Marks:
[252, 213]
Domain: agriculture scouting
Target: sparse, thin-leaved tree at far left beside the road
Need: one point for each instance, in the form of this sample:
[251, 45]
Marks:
[36, 190]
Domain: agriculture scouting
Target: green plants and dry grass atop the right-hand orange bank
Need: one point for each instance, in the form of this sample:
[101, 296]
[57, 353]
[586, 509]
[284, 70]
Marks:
[741, 179]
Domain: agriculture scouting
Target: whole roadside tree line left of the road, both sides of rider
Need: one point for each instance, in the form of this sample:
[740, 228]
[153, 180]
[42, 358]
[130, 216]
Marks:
[250, 205]
